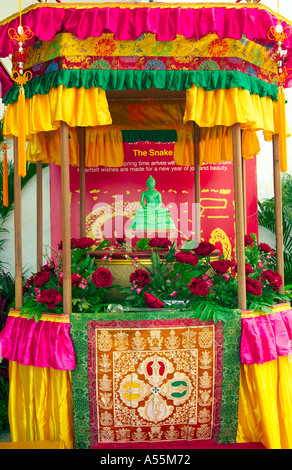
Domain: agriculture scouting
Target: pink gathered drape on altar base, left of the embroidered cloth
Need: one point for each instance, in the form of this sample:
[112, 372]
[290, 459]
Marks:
[39, 344]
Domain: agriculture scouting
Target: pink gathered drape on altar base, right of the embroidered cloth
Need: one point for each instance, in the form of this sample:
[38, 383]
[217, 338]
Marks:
[265, 338]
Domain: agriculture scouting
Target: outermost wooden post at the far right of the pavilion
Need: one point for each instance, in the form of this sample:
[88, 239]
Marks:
[278, 209]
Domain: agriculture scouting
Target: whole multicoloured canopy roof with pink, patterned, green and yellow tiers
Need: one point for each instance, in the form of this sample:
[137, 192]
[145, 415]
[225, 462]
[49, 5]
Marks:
[213, 56]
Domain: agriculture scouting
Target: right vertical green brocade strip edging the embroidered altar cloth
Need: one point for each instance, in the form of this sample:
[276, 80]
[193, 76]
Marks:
[230, 379]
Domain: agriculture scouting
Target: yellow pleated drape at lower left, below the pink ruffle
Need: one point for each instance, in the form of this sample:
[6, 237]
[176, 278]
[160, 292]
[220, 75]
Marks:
[40, 404]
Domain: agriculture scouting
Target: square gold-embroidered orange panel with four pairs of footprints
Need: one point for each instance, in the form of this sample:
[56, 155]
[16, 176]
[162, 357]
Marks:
[155, 384]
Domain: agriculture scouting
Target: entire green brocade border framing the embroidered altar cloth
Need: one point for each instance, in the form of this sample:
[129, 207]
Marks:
[230, 381]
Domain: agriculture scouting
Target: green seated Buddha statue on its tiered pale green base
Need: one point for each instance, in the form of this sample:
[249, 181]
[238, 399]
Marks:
[152, 217]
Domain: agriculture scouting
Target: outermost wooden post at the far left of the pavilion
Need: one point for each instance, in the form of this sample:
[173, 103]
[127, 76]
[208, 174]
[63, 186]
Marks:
[17, 228]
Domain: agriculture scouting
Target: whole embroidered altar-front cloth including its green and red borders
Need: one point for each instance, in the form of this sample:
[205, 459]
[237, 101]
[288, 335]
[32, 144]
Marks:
[157, 377]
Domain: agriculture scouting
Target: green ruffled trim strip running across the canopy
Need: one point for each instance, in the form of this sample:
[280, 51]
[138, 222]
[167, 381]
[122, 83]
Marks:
[175, 80]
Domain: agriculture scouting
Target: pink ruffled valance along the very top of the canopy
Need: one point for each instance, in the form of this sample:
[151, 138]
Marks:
[129, 23]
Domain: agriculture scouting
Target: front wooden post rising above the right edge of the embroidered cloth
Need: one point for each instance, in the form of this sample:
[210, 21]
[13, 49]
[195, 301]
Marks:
[239, 216]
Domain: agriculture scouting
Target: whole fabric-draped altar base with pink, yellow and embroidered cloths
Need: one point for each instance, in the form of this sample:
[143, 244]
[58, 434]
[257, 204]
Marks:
[87, 381]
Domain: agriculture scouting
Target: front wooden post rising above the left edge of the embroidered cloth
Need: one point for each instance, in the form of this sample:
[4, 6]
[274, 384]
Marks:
[66, 219]
